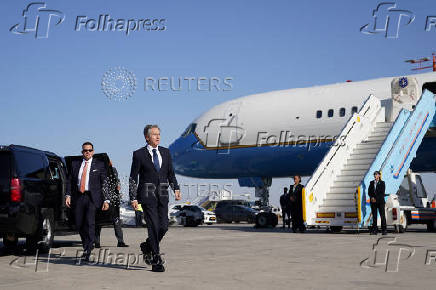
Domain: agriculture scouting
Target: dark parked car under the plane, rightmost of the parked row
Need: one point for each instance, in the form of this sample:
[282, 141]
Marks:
[235, 213]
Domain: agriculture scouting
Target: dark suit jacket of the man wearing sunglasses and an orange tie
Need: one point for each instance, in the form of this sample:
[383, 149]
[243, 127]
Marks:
[97, 183]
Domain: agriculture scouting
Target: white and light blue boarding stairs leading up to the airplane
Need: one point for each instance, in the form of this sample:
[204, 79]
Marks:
[378, 137]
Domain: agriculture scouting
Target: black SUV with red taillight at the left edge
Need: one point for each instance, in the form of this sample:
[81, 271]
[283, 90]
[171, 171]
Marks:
[32, 197]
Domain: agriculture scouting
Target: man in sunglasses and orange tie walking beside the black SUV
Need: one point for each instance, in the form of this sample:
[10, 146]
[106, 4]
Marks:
[86, 190]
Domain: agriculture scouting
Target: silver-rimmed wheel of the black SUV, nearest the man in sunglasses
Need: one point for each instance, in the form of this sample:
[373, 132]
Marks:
[42, 239]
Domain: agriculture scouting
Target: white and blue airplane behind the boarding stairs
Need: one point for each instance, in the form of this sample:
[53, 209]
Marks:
[282, 133]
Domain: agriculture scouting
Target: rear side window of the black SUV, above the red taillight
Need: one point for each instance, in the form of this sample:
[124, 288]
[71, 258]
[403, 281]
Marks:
[30, 165]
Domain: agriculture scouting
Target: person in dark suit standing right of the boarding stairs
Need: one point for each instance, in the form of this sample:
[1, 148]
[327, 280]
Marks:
[376, 192]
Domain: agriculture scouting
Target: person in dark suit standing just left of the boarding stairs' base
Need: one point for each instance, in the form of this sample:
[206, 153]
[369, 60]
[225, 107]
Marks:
[296, 197]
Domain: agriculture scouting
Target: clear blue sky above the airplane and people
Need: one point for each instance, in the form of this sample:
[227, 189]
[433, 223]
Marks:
[51, 88]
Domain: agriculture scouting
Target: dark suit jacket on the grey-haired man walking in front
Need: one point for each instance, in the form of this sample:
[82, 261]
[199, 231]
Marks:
[145, 181]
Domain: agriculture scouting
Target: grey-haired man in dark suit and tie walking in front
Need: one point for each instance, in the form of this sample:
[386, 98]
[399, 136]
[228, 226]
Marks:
[153, 165]
